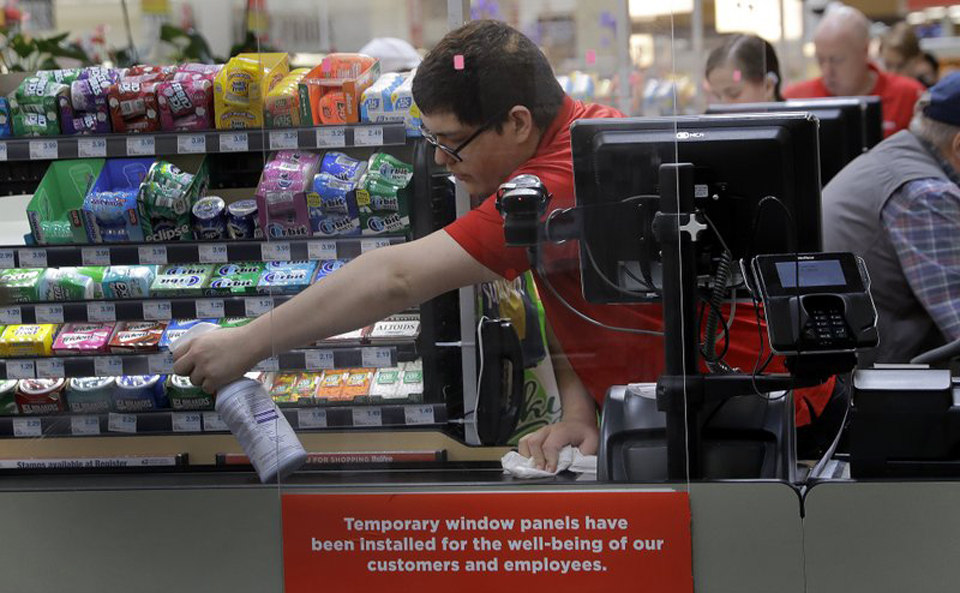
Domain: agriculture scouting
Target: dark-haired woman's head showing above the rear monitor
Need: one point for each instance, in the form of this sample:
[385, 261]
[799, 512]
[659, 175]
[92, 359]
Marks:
[744, 69]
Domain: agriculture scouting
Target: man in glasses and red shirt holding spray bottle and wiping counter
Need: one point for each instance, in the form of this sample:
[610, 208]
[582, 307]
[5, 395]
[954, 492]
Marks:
[493, 109]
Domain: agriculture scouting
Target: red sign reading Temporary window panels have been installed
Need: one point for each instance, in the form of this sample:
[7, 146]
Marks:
[571, 541]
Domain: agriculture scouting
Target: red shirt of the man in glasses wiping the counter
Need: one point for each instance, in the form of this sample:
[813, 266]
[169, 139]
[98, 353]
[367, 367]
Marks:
[600, 357]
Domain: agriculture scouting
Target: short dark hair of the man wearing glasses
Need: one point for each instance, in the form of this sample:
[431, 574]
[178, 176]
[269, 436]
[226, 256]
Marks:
[501, 68]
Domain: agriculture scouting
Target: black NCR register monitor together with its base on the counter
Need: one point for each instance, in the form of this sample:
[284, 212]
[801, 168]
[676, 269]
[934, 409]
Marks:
[739, 160]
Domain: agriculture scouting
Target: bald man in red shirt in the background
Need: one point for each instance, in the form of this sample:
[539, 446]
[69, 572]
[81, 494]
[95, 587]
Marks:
[842, 41]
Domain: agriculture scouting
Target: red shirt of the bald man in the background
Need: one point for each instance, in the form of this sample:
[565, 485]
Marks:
[898, 93]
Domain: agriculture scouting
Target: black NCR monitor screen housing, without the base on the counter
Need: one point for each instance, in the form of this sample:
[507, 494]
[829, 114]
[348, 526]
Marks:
[739, 160]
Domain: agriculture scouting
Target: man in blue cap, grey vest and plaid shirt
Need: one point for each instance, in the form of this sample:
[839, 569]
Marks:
[898, 207]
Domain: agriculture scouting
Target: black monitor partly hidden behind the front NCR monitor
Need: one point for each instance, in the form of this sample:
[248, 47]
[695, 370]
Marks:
[849, 126]
